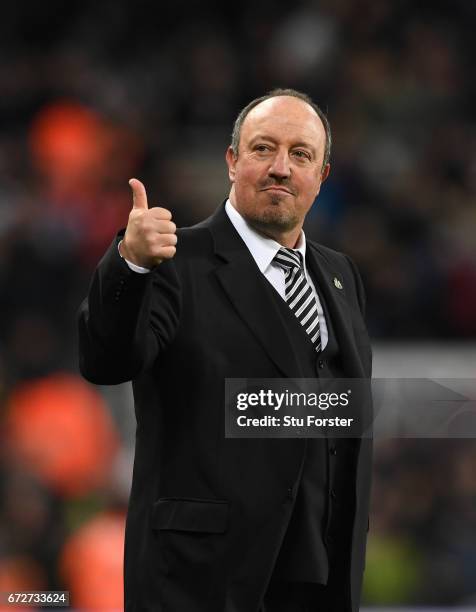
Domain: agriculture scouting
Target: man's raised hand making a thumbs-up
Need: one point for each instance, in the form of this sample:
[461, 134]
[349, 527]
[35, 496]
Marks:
[150, 234]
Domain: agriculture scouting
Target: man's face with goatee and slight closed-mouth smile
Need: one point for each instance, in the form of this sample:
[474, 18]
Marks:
[278, 171]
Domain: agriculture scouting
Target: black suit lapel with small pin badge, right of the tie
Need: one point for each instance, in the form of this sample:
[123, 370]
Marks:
[333, 289]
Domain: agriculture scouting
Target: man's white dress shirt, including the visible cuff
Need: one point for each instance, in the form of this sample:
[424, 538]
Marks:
[263, 250]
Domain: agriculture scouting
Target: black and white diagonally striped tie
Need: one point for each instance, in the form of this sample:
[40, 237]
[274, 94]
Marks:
[299, 295]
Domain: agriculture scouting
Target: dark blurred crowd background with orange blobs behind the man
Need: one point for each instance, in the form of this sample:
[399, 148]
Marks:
[94, 93]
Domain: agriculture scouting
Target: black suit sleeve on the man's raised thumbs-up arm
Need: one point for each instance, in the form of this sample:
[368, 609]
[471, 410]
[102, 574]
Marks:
[128, 319]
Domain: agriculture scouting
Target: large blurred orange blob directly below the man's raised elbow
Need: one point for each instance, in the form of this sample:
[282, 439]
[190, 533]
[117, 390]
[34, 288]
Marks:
[59, 429]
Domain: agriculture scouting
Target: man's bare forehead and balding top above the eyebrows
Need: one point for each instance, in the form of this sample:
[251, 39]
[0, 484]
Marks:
[284, 118]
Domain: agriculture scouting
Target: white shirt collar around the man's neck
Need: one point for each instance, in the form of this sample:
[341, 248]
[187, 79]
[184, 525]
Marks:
[262, 248]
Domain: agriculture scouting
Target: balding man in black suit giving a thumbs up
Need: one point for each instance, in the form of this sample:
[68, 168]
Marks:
[236, 525]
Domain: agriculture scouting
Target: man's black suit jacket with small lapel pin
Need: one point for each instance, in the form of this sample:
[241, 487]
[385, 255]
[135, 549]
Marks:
[207, 514]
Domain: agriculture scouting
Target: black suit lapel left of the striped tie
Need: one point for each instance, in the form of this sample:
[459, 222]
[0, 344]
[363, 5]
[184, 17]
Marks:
[251, 295]
